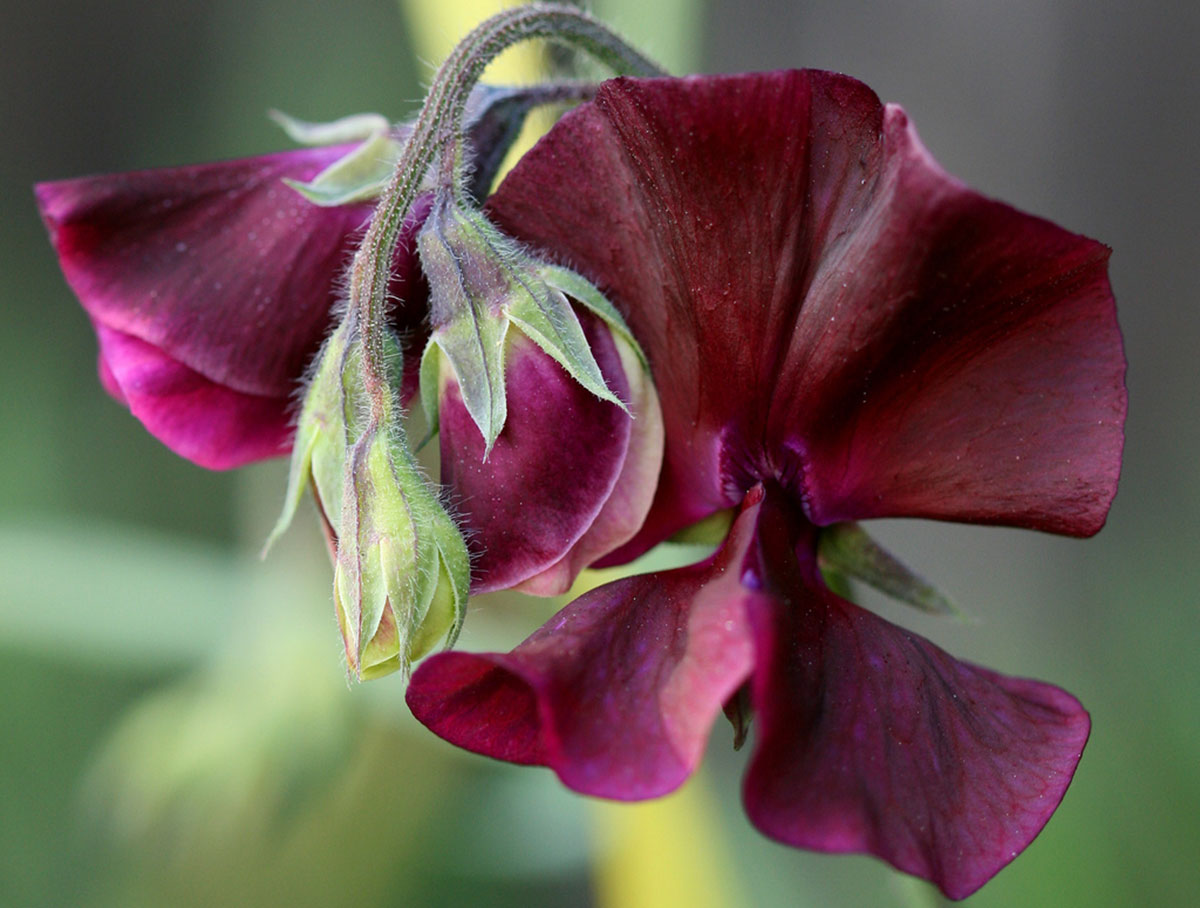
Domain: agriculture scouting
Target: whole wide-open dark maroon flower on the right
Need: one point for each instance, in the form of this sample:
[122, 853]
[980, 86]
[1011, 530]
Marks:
[838, 332]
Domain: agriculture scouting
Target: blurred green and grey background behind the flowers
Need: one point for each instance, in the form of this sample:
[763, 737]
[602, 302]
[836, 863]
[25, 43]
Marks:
[176, 726]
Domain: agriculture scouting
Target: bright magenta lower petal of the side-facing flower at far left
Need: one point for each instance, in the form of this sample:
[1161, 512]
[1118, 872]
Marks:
[200, 420]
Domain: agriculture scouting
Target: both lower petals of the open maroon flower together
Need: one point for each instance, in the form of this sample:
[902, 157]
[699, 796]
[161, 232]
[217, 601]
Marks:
[868, 738]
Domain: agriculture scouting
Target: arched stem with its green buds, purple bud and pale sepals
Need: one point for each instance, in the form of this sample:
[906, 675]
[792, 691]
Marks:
[503, 330]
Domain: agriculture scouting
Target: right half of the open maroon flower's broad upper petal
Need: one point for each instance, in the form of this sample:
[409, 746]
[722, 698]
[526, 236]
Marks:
[991, 384]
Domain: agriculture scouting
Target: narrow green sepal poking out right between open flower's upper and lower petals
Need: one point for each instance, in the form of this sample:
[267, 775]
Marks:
[848, 550]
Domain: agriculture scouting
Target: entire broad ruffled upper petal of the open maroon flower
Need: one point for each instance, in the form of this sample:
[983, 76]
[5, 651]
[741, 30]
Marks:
[830, 310]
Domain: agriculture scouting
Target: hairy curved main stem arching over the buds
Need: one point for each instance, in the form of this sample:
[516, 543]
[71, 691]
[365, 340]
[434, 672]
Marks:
[440, 129]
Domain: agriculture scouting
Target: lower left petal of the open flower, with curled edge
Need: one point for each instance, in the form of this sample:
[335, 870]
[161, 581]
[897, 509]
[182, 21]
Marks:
[619, 693]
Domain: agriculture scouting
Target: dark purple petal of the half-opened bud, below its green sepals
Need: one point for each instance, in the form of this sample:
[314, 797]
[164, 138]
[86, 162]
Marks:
[551, 470]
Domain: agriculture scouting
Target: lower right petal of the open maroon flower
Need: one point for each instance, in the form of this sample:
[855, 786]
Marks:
[872, 739]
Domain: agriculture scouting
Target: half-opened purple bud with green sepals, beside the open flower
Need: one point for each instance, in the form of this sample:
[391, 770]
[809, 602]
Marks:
[550, 428]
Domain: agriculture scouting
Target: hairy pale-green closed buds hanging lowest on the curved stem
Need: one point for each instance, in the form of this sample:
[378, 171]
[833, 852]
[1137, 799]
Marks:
[401, 568]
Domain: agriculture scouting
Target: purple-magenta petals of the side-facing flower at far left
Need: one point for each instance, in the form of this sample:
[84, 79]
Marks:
[224, 270]
